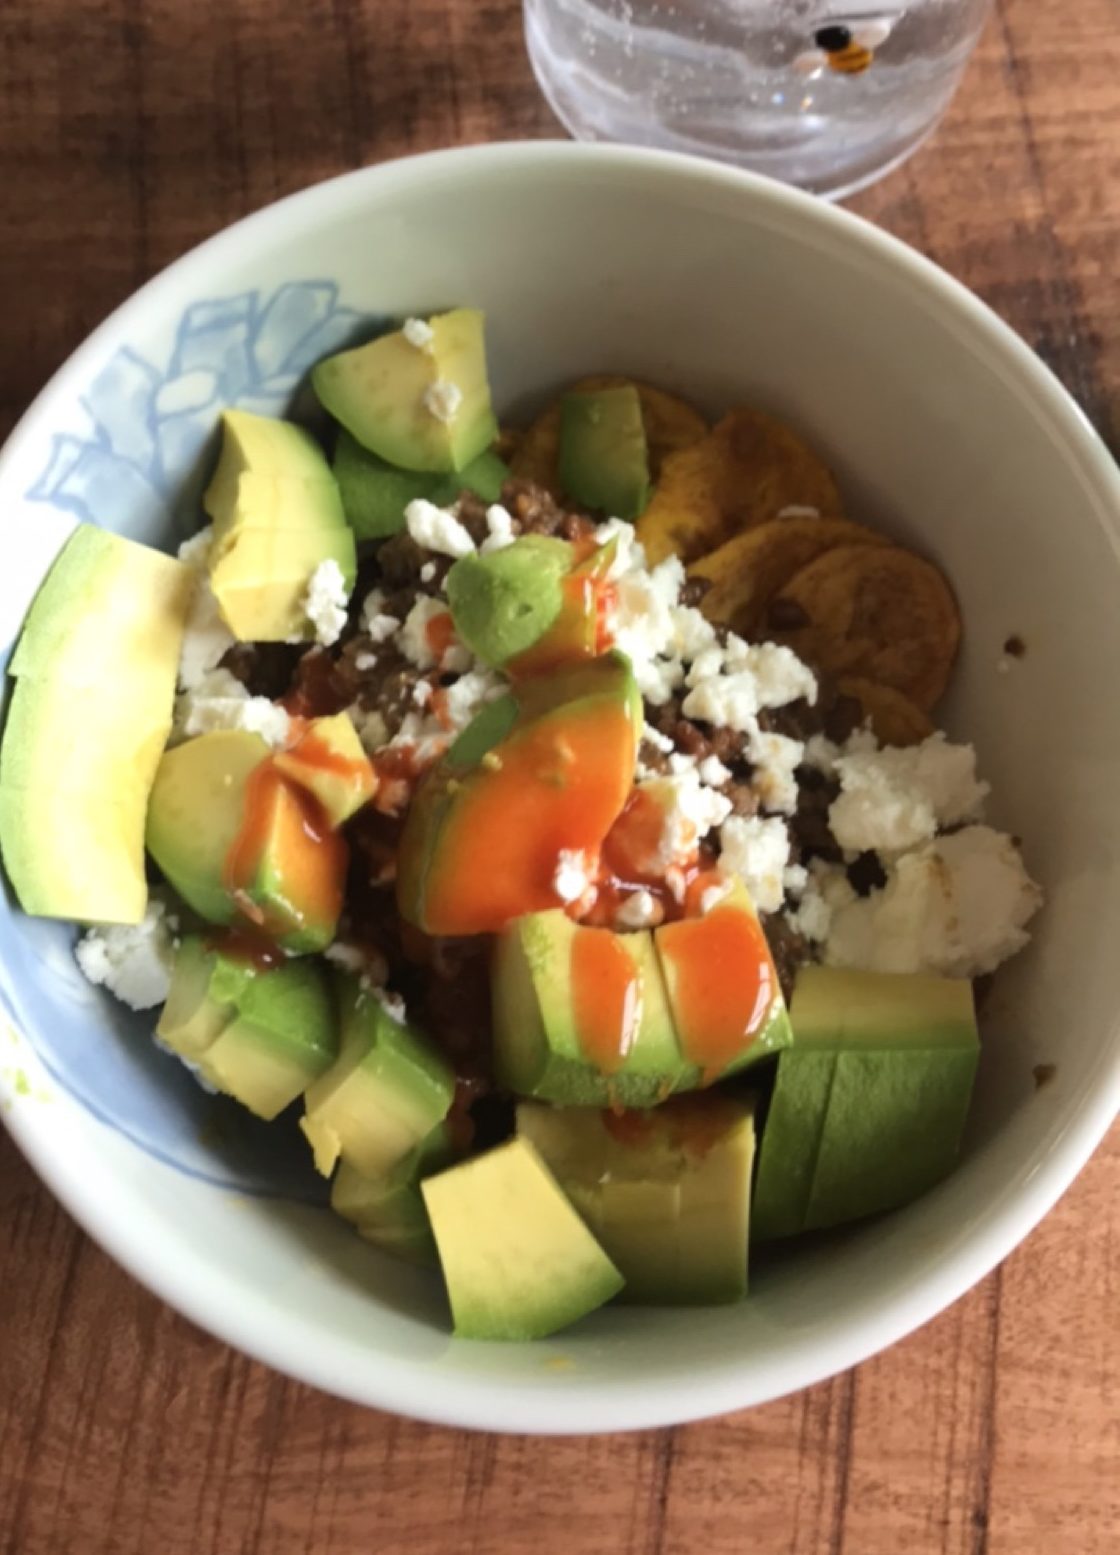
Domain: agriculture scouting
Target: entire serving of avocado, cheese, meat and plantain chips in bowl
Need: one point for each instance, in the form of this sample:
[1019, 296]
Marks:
[547, 814]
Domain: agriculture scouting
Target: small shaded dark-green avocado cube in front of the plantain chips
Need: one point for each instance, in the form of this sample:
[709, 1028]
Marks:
[604, 460]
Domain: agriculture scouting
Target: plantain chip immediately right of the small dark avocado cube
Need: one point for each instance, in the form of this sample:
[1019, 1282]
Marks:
[747, 472]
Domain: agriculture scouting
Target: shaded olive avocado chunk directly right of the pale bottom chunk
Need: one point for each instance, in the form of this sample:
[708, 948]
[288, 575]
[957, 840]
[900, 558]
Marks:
[667, 1193]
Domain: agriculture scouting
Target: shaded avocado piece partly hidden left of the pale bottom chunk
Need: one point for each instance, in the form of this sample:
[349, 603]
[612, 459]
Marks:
[390, 1211]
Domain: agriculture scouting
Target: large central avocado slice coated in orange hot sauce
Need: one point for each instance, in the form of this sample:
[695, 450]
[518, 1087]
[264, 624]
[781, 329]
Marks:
[537, 774]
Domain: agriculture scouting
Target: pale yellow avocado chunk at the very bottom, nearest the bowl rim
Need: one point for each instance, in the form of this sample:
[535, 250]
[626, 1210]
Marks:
[517, 1259]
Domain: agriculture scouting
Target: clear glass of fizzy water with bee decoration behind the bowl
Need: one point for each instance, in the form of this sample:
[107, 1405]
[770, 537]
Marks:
[810, 93]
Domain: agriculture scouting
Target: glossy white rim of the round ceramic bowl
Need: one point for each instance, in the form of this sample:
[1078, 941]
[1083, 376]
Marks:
[481, 1403]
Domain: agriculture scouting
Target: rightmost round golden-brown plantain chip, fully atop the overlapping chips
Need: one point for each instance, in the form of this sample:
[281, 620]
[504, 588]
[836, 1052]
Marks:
[877, 613]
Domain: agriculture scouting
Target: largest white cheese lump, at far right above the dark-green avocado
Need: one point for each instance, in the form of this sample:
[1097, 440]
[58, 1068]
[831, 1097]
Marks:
[957, 906]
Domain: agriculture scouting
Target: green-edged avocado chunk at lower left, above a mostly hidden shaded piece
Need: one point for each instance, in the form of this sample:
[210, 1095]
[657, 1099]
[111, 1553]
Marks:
[387, 1092]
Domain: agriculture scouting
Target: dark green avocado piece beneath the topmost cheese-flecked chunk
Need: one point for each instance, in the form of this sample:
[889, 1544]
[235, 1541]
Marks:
[376, 494]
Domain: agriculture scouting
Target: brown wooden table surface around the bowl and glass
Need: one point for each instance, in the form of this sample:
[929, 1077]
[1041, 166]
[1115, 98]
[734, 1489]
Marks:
[130, 130]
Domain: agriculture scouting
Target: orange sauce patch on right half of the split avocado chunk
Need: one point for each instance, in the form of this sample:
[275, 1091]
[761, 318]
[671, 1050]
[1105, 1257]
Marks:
[724, 985]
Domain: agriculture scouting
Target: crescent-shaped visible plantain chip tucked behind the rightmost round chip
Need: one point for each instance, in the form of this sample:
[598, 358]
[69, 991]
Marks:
[746, 573]
